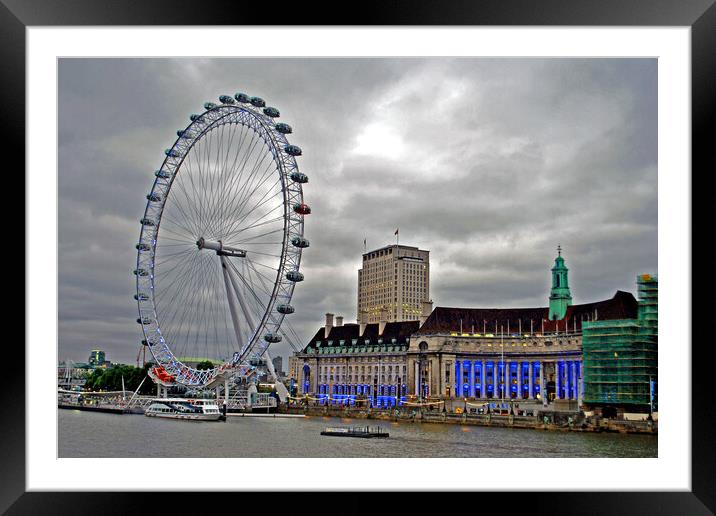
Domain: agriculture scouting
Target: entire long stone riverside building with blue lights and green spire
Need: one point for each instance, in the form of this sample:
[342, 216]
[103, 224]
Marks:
[529, 354]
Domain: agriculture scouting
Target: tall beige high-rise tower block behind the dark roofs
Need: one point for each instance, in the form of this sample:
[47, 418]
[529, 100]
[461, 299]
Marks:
[393, 284]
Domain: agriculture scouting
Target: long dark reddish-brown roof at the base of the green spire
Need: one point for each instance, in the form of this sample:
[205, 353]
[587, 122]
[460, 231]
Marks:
[494, 320]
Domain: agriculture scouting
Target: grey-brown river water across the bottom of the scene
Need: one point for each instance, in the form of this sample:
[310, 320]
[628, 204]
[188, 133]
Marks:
[87, 434]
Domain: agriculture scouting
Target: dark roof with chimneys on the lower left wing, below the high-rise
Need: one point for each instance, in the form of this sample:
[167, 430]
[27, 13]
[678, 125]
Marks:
[348, 333]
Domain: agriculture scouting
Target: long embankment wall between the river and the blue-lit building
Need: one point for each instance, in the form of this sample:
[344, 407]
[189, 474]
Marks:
[554, 421]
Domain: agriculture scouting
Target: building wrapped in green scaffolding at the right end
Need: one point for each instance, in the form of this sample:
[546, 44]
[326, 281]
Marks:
[620, 356]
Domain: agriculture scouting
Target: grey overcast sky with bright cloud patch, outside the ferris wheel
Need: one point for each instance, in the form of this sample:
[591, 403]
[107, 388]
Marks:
[487, 163]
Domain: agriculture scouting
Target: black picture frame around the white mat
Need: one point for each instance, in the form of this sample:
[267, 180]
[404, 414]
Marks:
[699, 15]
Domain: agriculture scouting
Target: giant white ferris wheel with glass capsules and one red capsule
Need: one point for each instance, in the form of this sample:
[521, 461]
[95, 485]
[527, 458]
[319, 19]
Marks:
[221, 240]
